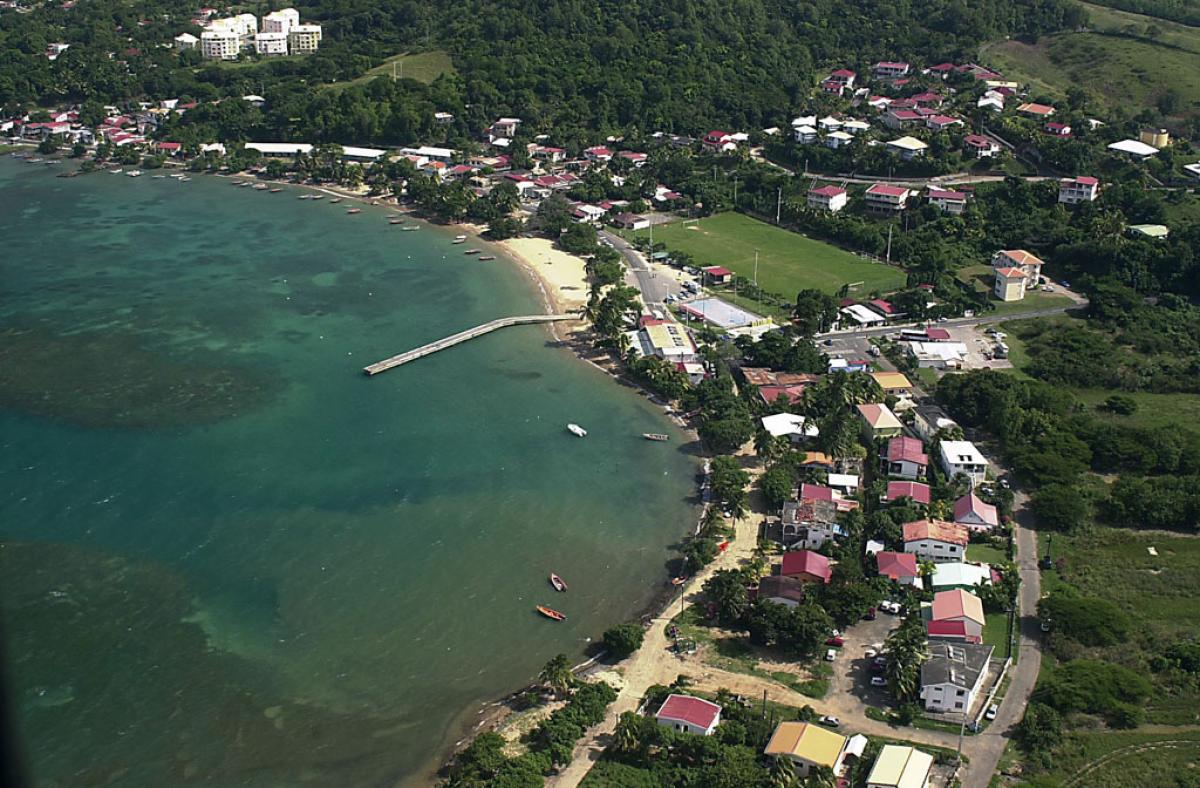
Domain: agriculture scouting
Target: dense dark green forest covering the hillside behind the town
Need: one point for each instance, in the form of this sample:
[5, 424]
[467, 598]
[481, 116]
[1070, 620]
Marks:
[578, 68]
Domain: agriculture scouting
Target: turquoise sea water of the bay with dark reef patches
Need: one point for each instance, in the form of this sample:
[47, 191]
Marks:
[231, 558]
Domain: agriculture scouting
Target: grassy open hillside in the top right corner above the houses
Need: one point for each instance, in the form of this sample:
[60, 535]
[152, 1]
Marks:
[1123, 71]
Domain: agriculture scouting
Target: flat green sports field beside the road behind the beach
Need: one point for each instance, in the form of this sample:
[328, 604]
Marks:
[788, 262]
